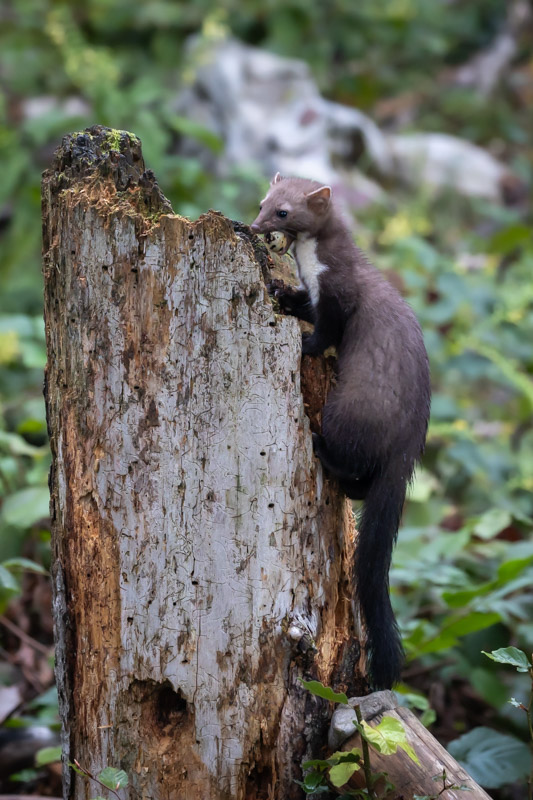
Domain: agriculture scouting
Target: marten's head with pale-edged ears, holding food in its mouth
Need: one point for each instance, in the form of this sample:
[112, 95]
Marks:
[293, 205]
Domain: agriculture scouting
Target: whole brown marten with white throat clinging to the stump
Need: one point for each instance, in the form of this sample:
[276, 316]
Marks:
[375, 420]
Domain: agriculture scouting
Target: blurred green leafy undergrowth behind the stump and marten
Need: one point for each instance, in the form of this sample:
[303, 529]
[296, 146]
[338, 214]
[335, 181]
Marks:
[463, 569]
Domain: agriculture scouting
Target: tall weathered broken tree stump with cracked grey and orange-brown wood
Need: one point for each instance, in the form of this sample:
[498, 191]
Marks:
[201, 558]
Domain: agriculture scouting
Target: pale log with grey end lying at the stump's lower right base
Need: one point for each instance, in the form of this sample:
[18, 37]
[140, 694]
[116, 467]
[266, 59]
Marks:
[408, 778]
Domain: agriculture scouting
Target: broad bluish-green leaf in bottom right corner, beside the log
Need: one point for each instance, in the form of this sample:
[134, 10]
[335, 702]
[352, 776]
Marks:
[491, 758]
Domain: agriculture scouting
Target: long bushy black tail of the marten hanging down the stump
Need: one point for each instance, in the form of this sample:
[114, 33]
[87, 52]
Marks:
[378, 529]
